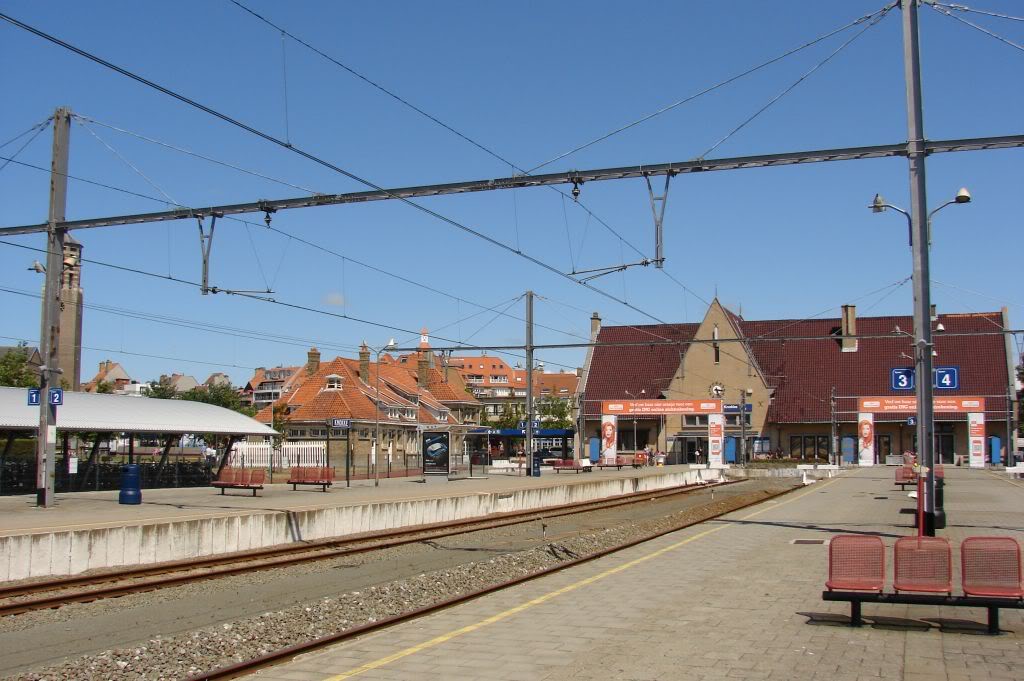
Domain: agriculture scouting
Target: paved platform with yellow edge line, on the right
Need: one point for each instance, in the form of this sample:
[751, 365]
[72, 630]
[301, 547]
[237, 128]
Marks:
[735, 599]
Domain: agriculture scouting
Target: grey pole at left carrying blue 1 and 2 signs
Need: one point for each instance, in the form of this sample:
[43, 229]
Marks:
[50, 342]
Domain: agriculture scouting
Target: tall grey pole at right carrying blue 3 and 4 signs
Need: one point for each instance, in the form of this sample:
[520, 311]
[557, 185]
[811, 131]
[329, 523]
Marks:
[919, 237]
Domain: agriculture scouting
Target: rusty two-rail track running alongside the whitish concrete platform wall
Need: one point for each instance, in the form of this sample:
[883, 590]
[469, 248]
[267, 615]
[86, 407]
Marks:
[52, 594]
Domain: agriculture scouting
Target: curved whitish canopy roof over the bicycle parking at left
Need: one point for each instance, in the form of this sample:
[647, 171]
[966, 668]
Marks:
[87, 412]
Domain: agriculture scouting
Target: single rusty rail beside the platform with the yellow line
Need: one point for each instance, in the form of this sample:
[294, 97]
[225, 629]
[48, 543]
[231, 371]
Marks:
[289, 653]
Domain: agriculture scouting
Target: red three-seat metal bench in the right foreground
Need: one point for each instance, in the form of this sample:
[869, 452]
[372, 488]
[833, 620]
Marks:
[923, 574]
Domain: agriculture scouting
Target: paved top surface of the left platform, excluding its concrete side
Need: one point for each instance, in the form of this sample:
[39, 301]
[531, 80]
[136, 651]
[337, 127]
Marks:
[84, 510]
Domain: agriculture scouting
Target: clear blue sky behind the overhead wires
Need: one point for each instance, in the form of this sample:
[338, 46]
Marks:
[530, 81]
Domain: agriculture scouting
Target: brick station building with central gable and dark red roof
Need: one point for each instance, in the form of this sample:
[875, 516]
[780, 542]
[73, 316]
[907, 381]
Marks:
[791, 387]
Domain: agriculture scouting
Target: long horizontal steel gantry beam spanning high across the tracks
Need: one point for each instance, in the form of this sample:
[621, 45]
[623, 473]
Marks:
[523, 182]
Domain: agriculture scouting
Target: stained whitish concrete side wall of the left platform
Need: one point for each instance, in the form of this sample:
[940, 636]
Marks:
[76, 551]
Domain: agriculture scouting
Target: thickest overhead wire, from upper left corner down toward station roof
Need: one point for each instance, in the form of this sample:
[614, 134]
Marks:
[312, 157]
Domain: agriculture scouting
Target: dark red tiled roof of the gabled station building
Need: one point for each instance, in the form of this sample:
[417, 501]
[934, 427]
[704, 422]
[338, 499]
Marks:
[804, 372]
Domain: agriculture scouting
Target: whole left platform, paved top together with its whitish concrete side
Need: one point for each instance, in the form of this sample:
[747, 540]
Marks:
[91, 530]
